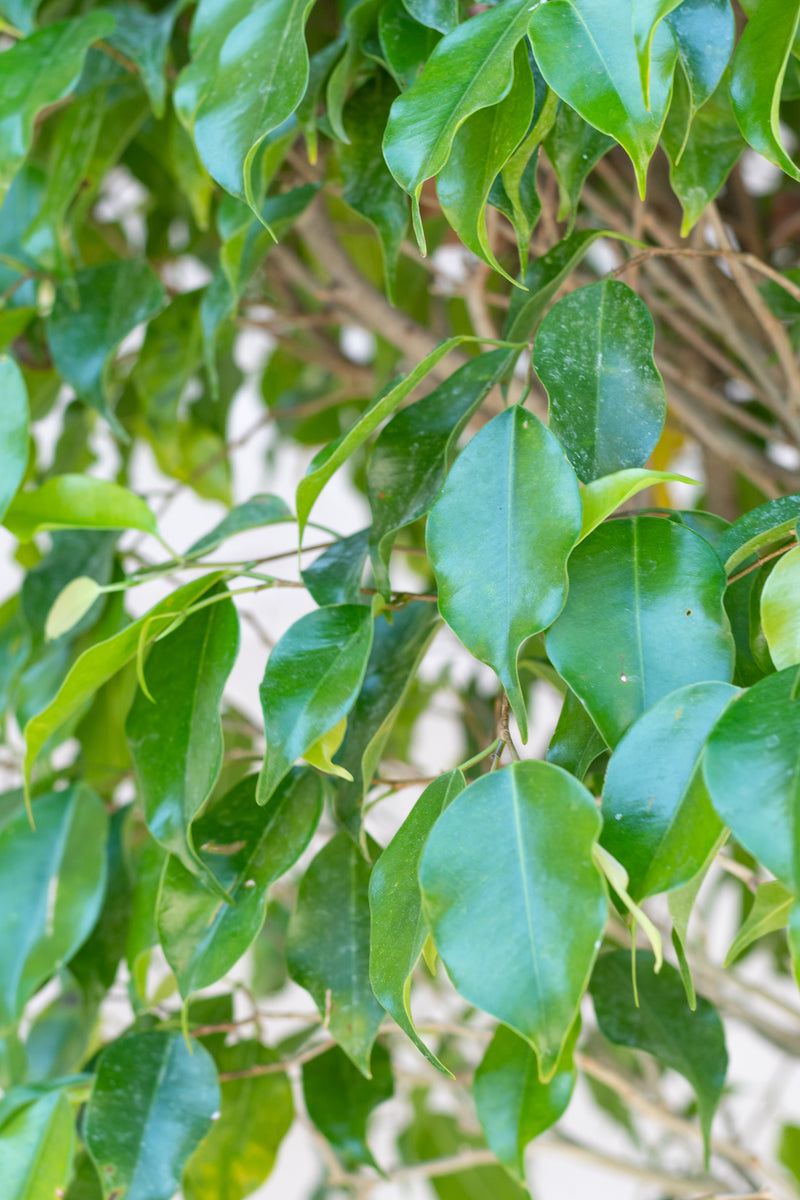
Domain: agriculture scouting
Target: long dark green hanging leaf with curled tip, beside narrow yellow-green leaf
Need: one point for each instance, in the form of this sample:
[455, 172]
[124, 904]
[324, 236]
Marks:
[176, 733]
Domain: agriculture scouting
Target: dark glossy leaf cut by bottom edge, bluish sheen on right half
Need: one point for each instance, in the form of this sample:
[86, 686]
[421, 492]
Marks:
[154, 1100]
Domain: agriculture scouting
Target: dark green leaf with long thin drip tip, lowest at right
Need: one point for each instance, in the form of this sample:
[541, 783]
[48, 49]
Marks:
[691, 1043]
